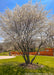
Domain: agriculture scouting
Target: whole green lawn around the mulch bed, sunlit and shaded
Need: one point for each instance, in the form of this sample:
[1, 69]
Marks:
[11, 66]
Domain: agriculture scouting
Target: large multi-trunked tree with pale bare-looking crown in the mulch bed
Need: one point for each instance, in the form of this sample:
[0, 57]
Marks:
[24, 25]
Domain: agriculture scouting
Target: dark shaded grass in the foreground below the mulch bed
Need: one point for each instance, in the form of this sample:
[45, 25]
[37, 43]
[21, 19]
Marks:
[15, 69]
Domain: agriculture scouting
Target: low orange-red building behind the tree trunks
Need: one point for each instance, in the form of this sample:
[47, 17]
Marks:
[46, 52]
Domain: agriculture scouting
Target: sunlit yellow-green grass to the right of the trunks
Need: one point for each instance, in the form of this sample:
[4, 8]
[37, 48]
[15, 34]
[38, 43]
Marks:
[45, 60]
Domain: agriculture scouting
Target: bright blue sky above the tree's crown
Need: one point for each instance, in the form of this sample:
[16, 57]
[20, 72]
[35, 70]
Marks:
[4, 4]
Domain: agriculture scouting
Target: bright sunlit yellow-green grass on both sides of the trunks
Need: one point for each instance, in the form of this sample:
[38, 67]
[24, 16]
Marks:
[45, 60]
